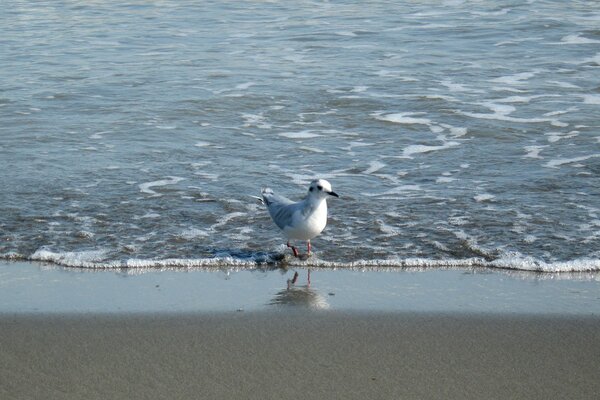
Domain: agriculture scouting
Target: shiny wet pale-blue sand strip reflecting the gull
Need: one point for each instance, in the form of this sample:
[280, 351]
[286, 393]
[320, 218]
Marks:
[37, 288]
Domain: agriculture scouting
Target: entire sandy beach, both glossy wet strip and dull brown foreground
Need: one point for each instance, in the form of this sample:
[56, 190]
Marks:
[227, 334]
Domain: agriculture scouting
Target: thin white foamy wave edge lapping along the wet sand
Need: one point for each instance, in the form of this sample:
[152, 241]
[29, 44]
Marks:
[99, 259]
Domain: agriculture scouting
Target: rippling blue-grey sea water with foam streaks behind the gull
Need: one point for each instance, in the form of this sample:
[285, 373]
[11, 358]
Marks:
[456, 133]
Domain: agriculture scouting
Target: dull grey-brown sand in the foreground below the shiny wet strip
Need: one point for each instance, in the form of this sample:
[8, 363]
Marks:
[298, 354]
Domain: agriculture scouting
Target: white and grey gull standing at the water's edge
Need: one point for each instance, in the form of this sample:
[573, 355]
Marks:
[303, 220]
